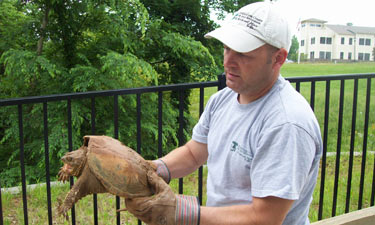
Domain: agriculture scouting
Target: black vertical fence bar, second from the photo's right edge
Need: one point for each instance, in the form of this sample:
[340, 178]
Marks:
[352, 140]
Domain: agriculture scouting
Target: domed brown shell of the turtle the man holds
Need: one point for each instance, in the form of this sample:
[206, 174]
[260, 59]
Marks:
[121, 170]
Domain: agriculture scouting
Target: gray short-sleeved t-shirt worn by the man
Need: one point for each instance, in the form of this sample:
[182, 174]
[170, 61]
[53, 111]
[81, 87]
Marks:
[270, 147]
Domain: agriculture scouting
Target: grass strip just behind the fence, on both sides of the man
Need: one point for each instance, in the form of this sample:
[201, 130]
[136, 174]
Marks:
[37, 202]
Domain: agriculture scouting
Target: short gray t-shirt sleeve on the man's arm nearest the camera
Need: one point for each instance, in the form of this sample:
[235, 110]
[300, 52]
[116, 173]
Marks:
[282, 162]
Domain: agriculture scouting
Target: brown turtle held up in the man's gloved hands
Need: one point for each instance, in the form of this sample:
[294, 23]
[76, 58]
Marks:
[104, 165]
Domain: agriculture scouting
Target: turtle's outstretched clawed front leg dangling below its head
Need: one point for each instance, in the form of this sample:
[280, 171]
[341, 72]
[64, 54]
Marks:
[86, 184]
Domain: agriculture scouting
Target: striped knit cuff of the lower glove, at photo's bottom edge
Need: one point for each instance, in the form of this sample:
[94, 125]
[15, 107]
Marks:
[187, 210]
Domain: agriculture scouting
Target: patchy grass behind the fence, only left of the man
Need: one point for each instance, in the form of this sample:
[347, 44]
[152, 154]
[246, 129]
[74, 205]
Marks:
[38, 212]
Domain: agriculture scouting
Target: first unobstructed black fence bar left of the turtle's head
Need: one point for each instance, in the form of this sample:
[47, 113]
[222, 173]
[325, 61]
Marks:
[46, 160]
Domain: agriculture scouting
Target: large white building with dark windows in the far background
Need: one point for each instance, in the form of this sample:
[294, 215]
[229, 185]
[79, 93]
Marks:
[321, 41]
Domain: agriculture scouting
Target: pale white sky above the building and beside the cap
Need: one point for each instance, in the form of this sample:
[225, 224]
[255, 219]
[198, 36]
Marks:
[357, 12]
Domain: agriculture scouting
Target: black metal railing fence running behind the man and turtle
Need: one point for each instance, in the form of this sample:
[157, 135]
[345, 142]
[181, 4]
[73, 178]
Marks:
[317, 89]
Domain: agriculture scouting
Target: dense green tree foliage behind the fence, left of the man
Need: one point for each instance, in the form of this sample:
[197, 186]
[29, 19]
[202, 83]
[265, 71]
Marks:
[52, 47]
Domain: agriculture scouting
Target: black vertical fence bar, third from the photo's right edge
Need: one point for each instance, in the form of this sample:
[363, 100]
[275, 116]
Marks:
[338, 147]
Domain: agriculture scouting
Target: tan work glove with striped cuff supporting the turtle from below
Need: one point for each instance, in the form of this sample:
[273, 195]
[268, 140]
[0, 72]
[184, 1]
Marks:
[164, 207]
